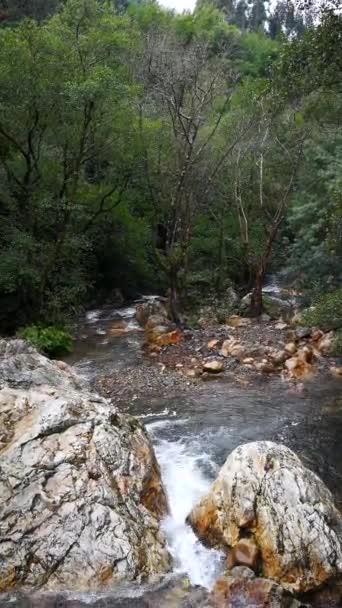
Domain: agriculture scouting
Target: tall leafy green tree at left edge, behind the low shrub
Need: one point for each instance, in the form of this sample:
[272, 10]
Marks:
[65, 159]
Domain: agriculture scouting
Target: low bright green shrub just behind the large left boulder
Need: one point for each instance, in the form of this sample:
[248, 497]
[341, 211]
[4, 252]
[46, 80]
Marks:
[51, 340]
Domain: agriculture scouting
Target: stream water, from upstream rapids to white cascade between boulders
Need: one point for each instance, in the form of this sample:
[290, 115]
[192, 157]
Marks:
[194, 433]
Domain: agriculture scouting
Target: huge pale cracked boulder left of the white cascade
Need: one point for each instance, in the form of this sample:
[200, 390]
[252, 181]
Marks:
[80, 488]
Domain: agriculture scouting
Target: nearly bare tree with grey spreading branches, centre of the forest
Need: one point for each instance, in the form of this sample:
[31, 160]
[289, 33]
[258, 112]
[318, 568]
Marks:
[189, 86]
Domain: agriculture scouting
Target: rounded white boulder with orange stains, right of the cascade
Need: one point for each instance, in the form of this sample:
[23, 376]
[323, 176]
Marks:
[264, 492]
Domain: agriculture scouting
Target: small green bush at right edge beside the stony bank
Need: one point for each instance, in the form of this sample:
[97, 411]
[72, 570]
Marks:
[326, 311]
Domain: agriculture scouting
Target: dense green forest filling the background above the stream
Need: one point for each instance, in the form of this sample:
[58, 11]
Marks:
[145, 150]
